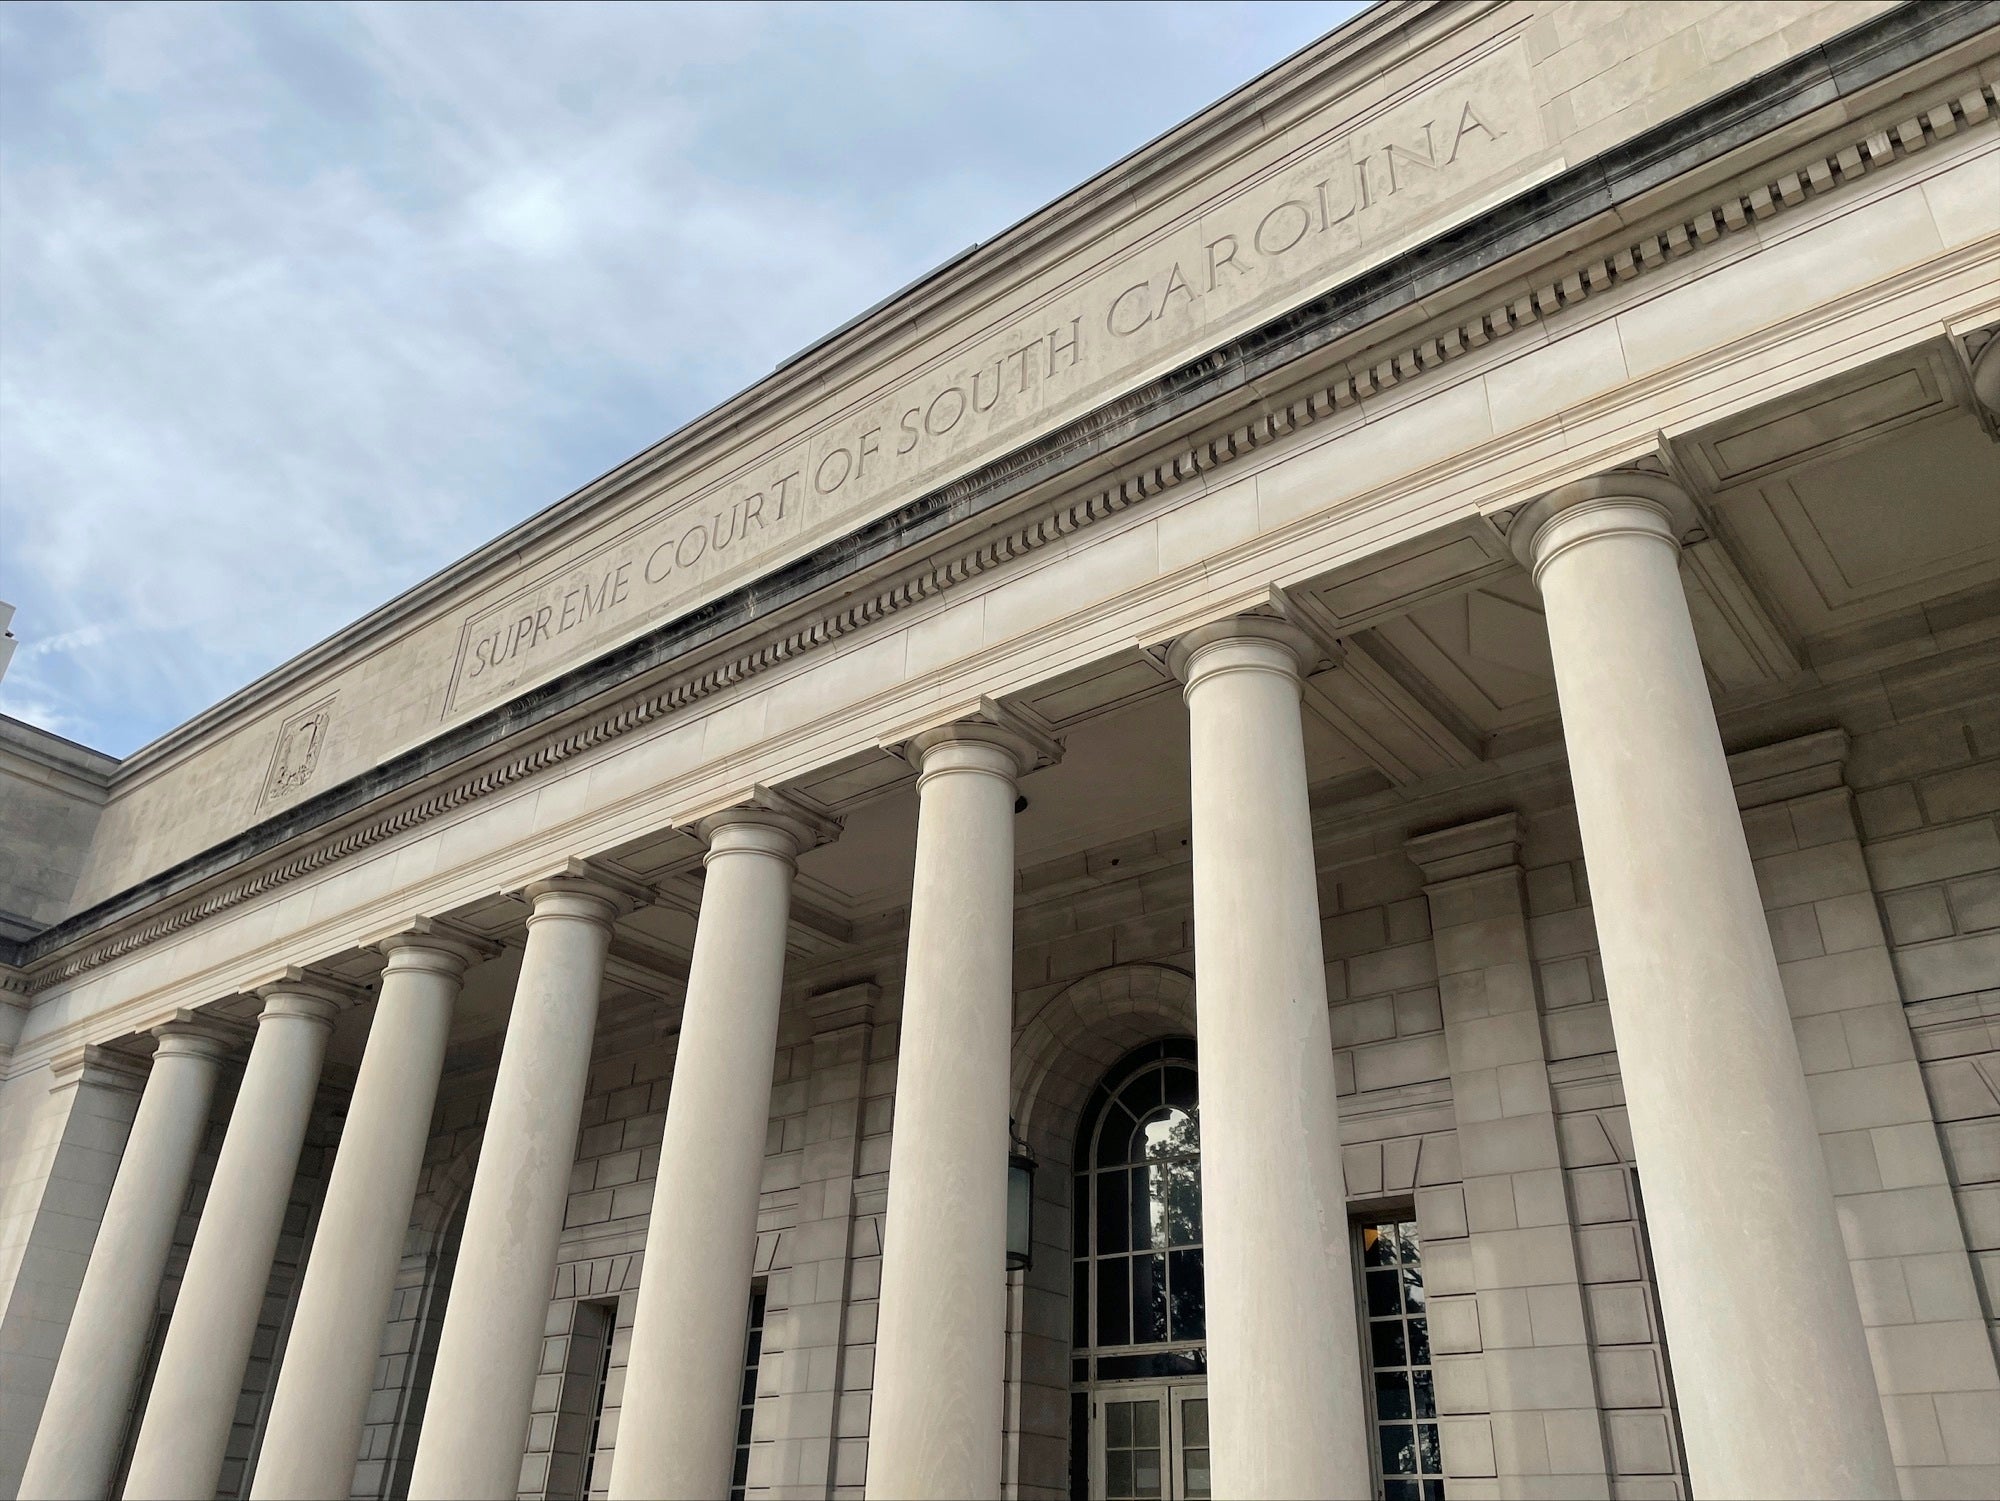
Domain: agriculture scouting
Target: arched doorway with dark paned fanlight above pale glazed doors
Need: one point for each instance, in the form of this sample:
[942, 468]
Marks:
[1139, 1402]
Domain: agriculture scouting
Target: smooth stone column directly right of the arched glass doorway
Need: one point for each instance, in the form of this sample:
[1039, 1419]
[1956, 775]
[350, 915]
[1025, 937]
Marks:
[1285, 1364]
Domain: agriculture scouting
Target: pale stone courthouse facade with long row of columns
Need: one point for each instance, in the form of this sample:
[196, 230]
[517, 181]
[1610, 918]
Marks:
[1325, 824]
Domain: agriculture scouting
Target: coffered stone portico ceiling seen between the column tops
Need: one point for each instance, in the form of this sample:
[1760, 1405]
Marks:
[1839, 523]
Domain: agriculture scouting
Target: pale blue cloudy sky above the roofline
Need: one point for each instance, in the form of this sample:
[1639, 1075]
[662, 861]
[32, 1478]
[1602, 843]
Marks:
[301, 303]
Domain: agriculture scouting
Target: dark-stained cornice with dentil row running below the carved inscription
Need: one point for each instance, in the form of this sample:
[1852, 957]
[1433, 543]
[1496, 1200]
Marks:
[1325, 325]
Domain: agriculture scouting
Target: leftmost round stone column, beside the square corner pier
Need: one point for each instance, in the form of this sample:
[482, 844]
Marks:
[83, 1424]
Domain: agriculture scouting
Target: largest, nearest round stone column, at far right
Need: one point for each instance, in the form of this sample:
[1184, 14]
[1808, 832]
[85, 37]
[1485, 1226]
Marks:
[1777, 1390]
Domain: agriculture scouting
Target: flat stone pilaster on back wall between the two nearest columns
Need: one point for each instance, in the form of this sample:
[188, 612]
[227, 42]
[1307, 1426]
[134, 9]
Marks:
[1517, 1386]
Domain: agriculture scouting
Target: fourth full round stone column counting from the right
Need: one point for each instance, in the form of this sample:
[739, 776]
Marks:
[677, 1428]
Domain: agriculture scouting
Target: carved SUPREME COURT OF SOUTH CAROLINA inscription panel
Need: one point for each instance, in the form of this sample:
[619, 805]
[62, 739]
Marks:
[1327, 213]
